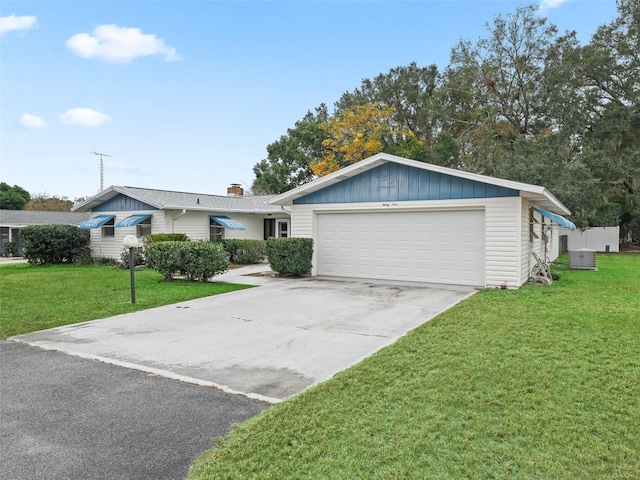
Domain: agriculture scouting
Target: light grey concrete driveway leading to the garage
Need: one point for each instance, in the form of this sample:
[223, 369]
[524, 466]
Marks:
[268, 342]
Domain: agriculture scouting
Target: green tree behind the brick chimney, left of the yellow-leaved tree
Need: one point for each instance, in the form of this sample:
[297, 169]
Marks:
[288, 159]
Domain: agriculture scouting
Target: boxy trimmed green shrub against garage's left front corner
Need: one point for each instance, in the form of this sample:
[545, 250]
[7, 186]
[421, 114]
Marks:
[290, 256]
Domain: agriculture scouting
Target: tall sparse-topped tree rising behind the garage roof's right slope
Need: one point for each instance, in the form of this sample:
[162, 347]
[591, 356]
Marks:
[496, 90]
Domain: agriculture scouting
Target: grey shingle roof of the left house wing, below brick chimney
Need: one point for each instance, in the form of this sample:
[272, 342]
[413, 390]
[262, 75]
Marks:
[167, 199]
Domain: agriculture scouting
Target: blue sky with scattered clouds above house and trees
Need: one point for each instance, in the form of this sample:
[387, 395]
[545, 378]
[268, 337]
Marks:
[186, 95]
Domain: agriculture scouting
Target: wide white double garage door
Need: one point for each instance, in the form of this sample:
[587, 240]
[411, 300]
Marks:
[433, 247]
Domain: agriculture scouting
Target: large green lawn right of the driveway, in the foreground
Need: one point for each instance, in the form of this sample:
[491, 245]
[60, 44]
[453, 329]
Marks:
[538, 383]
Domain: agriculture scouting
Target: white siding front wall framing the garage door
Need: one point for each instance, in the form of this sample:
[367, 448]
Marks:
[502, 229]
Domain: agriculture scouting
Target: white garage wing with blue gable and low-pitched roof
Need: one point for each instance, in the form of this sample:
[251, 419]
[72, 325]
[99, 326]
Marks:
[390, 218]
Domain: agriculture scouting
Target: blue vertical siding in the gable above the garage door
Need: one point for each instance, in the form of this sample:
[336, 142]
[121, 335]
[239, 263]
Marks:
[394, 182]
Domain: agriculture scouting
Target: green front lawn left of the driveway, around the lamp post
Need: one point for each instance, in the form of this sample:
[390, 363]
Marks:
[34, 297]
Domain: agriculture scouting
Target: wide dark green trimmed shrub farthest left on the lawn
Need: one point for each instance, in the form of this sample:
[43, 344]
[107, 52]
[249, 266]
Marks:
[51, 244]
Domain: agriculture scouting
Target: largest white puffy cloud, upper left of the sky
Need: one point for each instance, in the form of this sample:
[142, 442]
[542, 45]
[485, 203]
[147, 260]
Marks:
[120, 44]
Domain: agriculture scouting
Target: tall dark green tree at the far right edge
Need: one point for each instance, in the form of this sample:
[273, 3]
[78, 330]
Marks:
[596, 106]
